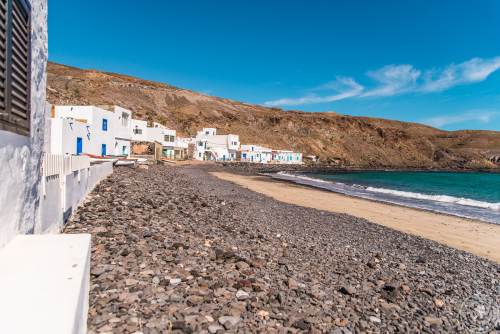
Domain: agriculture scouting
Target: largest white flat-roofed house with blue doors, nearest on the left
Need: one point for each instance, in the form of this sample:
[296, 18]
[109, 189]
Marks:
[107, 131]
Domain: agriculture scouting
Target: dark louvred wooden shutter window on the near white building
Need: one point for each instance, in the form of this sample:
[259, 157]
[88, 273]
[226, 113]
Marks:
[15, 66]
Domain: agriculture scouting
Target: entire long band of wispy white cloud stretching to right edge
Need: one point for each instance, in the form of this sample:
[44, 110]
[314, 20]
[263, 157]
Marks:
[400, 79]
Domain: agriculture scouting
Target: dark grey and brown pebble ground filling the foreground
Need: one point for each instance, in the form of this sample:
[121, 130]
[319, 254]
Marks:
[177, 250]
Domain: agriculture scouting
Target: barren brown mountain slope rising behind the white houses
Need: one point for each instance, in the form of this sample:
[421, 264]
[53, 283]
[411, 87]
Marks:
[359, 141]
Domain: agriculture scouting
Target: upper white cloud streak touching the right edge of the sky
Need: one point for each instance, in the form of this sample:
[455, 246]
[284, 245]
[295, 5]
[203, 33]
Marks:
[474, 70]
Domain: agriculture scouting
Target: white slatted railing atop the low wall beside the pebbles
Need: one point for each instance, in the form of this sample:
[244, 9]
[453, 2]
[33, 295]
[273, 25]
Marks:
[55, 164]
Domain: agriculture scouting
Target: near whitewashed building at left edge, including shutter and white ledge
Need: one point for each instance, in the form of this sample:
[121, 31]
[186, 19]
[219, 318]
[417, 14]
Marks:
[38, 265]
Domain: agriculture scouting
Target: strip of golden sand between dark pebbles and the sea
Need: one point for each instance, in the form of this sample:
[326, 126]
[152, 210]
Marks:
[476, 237]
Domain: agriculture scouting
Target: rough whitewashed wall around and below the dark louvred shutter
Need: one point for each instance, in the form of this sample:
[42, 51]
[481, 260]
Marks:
[20, 156]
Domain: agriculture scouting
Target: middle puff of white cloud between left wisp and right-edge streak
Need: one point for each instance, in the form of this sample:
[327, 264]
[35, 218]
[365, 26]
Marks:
[393, 80]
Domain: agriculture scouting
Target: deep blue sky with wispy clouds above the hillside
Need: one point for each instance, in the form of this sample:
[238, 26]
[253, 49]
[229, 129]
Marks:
[435, 62]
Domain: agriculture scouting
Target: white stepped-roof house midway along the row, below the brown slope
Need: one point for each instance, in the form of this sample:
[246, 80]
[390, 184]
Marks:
[210, 146]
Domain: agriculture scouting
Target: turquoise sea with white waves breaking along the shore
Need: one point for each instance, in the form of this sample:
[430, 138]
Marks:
[472, 195]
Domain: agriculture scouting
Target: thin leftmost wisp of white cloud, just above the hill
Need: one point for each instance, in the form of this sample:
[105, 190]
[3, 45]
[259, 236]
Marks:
[344, 88]
